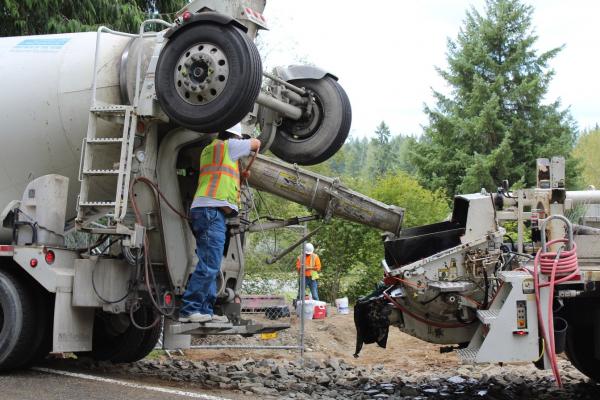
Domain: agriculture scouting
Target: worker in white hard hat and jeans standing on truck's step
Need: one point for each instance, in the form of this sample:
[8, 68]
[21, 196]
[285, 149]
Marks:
[216, 198]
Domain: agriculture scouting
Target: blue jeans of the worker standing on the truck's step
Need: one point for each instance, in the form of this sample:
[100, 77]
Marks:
[208, 224]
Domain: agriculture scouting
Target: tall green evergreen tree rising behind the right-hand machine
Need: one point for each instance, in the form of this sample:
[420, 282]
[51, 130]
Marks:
[494, 123]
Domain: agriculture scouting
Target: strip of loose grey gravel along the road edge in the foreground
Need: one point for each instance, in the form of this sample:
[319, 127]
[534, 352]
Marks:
[336, 379]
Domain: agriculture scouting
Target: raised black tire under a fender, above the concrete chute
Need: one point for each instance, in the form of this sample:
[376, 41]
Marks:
[312, 140]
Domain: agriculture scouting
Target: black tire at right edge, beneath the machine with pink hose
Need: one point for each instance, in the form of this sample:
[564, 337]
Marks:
[580, 350]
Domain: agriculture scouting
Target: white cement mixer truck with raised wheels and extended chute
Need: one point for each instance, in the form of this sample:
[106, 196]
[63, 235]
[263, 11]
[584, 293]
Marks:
[102, 135]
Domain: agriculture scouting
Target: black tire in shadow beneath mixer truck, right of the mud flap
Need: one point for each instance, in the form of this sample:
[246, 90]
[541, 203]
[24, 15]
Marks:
[116, 339]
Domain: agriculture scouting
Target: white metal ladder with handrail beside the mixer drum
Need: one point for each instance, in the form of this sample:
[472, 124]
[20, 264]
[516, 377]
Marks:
[89, 209]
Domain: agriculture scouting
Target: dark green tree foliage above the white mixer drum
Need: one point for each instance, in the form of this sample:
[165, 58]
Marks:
[30, 17]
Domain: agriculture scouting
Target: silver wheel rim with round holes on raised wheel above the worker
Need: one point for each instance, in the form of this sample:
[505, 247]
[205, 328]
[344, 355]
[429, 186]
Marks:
[201, 73]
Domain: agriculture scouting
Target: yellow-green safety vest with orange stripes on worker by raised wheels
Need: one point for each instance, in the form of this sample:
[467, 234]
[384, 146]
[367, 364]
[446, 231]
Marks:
[219, 174]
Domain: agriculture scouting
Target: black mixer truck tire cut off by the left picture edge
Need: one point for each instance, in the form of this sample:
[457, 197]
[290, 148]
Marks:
[18, 322]
